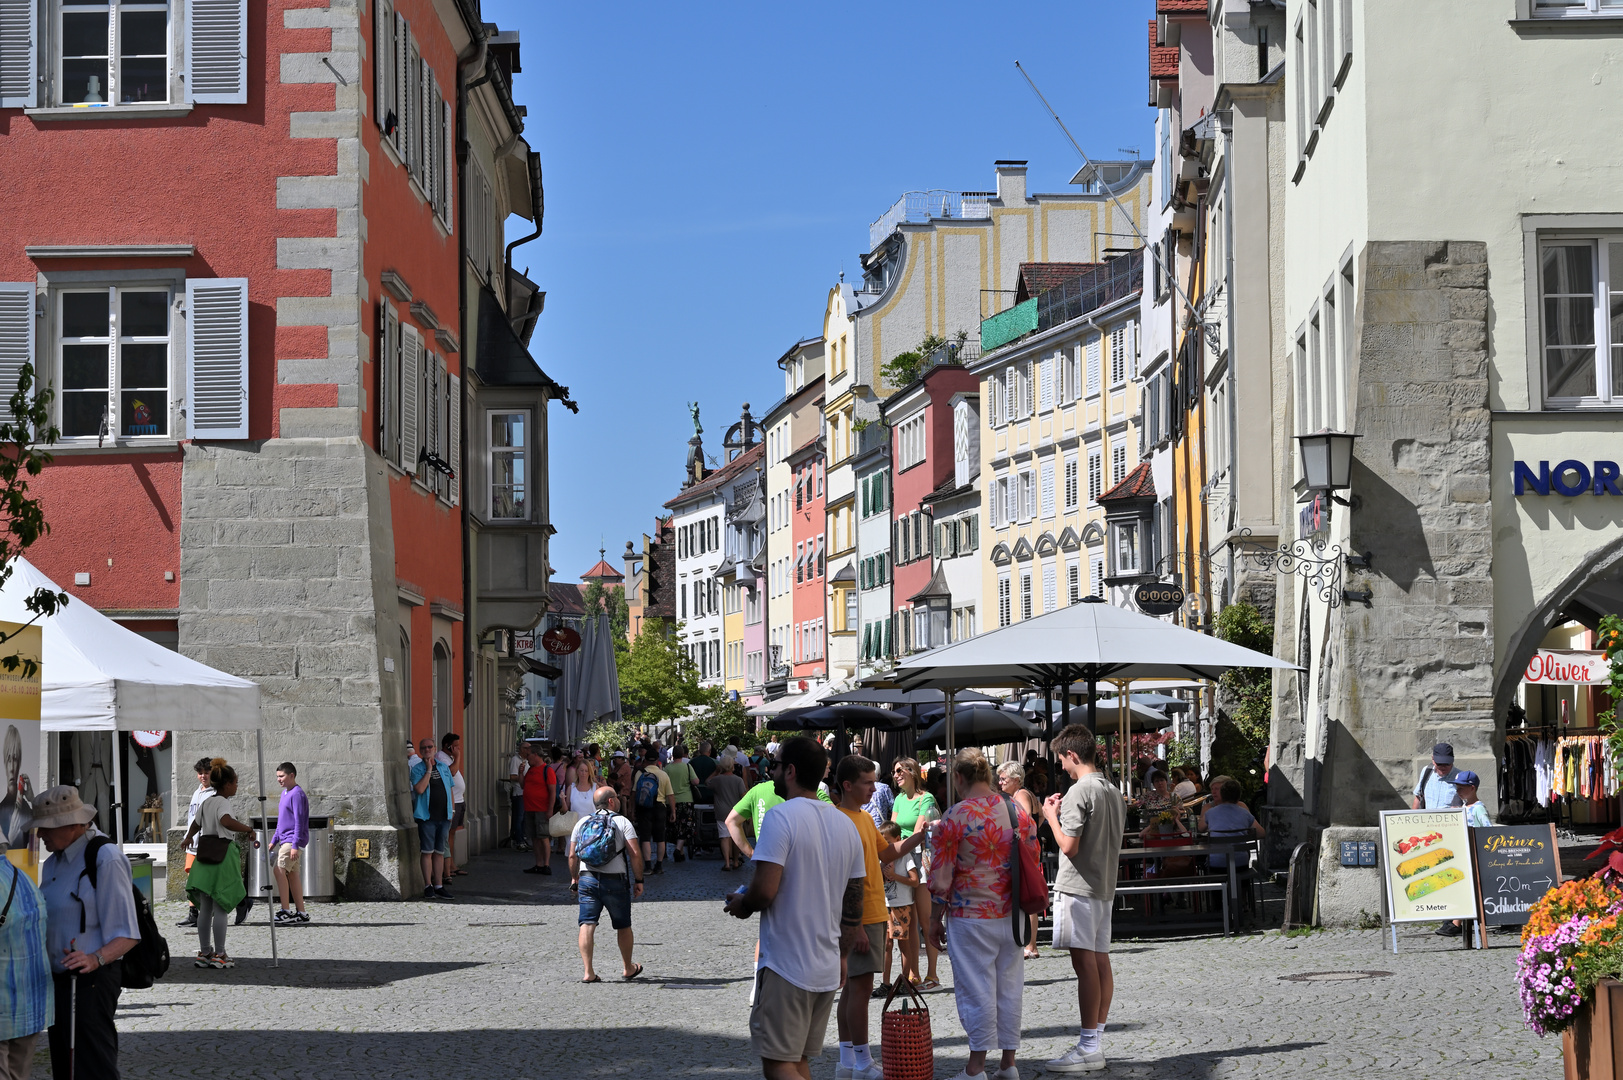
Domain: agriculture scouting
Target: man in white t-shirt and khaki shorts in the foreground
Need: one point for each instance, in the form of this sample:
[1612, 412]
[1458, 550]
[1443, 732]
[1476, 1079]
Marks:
[807, 886]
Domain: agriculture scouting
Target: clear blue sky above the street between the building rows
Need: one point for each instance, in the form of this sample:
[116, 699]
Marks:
[710, 168]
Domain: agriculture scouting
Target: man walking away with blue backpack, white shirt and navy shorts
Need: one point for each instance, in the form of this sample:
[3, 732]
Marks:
[606, 870]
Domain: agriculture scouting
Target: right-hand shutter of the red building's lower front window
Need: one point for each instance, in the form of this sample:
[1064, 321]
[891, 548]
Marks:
[218, 358]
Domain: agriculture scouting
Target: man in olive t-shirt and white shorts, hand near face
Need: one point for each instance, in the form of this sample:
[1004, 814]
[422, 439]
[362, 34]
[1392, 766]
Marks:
[1087, 824]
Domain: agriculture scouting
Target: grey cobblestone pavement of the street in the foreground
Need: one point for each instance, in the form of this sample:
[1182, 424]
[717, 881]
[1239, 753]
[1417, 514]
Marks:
[488, 987]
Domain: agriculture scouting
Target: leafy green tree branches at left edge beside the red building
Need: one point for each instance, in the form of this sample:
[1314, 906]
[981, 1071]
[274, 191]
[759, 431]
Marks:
[22, 459]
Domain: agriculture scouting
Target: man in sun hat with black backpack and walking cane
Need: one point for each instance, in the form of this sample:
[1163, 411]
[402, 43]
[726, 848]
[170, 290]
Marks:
[87, 931]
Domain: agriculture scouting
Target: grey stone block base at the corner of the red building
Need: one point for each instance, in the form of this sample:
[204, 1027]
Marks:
[293, 585]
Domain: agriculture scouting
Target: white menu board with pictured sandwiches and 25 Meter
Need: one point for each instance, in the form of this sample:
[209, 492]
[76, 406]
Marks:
[1426, 862]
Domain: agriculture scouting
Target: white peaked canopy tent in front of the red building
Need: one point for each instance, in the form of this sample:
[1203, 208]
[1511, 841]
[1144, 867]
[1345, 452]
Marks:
[101, 676]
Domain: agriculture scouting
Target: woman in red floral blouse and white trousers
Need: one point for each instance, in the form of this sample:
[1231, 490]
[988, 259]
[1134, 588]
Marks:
[973, 888]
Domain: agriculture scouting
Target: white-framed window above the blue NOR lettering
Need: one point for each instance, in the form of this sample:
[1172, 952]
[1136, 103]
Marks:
[1582, 287]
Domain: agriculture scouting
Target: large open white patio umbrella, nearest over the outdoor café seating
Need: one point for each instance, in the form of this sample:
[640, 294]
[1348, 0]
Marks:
[1083, 642]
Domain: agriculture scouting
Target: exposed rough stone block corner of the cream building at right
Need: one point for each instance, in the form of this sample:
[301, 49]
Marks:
[1416, 667]
